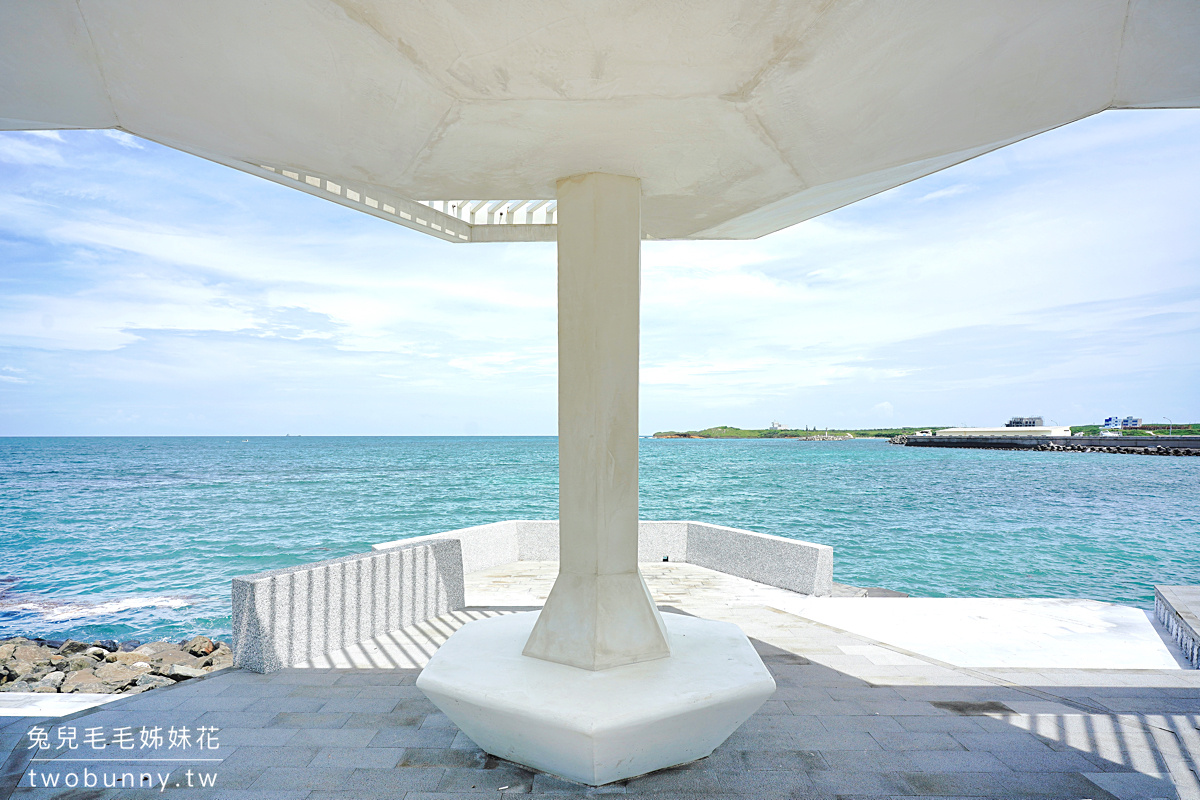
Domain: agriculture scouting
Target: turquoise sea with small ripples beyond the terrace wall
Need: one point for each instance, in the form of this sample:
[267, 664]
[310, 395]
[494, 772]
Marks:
[139, 538]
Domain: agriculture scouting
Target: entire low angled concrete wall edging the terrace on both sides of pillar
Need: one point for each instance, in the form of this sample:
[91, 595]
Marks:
[287, 617]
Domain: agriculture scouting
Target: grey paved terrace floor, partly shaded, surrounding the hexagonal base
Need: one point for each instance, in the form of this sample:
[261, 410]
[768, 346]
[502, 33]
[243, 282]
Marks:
[851, 718]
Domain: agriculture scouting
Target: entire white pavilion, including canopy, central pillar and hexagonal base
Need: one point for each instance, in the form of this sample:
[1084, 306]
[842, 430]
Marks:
[593, 125]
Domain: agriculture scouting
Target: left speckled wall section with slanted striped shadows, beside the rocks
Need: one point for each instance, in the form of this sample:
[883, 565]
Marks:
[284, 617]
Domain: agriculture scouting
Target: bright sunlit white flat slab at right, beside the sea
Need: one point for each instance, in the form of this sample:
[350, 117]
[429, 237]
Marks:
[1035, 634]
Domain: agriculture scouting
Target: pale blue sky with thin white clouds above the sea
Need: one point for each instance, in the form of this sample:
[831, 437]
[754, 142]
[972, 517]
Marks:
[147, 292]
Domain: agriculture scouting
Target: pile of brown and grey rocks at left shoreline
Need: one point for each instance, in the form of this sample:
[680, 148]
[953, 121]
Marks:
[106, 667]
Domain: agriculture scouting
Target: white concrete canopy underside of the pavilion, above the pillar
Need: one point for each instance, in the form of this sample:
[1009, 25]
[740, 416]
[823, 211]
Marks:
[741, 118]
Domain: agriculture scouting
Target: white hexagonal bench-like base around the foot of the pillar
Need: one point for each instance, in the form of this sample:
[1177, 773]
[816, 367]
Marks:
[604, 726]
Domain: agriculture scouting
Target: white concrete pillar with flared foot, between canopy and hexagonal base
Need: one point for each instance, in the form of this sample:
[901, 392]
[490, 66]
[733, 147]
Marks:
[601, 613]
